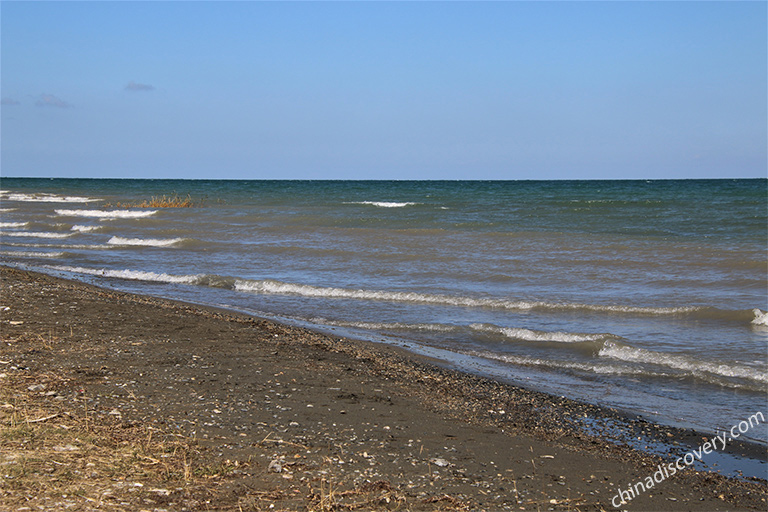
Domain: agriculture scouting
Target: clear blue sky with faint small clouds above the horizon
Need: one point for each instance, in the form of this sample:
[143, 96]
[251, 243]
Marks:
[387, 90]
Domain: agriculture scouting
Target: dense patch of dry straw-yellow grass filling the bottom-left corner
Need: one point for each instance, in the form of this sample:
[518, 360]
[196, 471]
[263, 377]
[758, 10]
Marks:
[55, 456]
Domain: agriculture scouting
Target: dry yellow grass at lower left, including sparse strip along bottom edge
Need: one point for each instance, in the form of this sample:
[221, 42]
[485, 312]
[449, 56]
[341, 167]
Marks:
[58, 455]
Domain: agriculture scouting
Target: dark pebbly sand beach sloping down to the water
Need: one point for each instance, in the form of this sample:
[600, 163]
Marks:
[296, 413]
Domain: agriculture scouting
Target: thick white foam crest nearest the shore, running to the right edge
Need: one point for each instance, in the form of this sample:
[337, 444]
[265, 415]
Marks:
[679, 362]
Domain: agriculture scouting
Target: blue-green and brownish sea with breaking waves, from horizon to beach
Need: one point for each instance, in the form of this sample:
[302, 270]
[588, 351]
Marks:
[628, 294]
